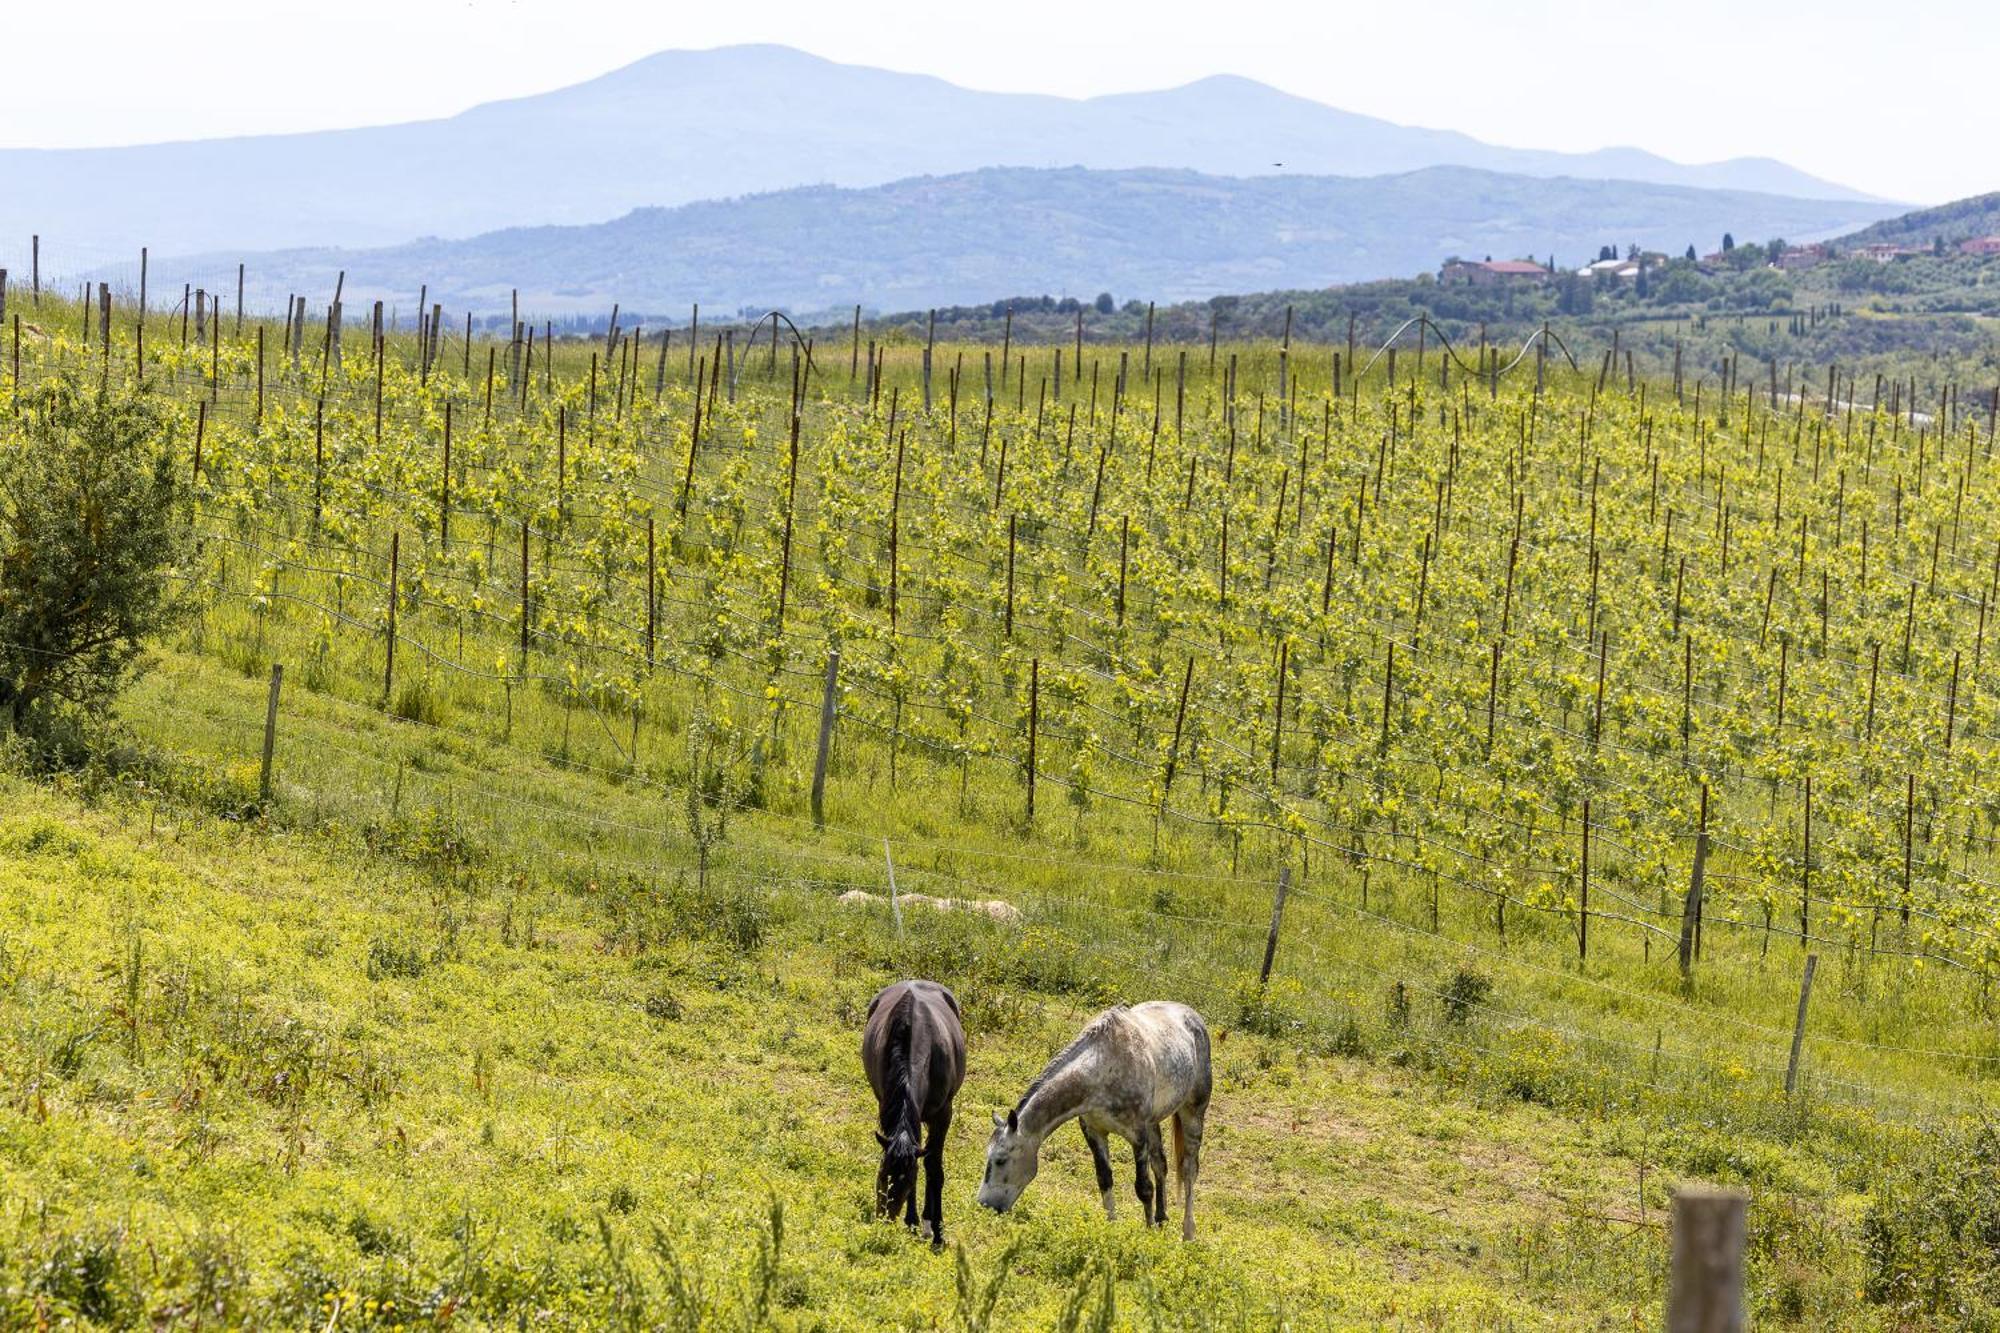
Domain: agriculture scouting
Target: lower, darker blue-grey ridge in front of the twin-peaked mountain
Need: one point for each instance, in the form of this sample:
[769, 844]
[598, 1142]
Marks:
[1159, 235]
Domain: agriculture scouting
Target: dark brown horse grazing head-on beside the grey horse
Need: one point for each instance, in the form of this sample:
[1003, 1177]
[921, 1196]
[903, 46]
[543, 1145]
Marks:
[915, 1054]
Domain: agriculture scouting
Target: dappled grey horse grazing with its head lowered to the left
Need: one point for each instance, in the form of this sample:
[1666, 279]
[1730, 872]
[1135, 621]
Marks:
[1125, 1074]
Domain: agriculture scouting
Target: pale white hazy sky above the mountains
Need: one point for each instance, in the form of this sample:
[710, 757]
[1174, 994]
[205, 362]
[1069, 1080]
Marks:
[1895, 99]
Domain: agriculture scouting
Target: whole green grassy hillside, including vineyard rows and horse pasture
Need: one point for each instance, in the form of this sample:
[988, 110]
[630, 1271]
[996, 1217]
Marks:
[527, 994]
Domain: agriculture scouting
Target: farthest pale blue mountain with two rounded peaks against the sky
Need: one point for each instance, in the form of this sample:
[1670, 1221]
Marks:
[705, 125]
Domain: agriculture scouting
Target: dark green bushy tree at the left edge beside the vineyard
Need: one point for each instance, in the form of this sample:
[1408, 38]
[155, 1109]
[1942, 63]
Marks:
[93, 535]
